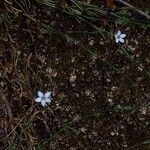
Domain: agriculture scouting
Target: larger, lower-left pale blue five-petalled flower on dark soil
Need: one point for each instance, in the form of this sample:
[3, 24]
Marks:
[44, 98]
